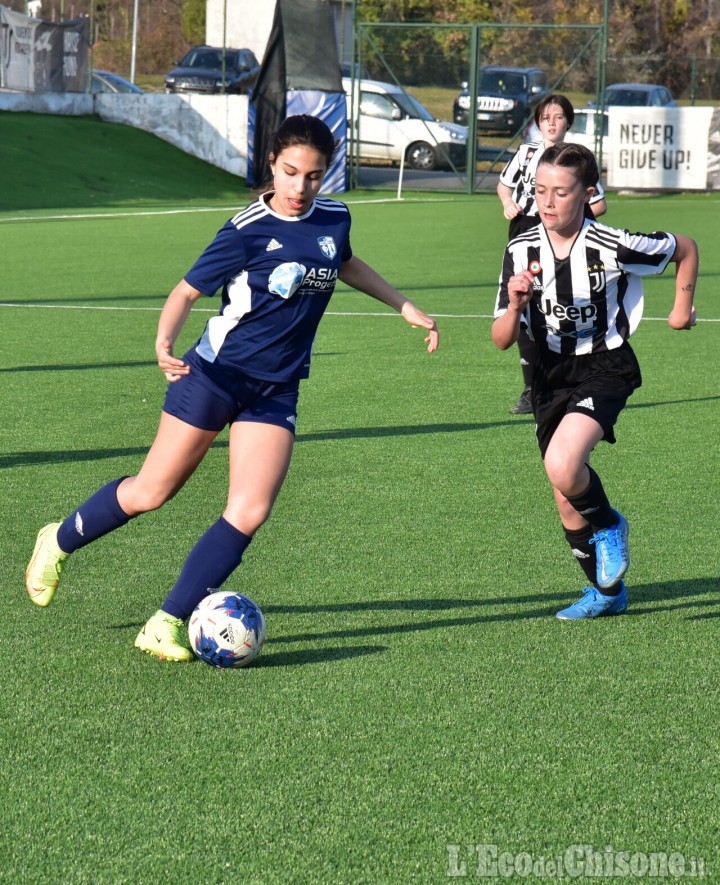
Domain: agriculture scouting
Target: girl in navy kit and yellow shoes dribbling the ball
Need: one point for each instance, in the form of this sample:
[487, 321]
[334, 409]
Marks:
[276, 263]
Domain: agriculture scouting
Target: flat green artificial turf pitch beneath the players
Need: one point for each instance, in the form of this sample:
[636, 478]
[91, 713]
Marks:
[416, 698]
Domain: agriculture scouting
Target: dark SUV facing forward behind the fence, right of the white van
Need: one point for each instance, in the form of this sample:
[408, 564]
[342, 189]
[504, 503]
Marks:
[506, 97]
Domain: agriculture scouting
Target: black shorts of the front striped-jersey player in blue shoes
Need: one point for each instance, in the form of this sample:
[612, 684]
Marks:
[597, 385]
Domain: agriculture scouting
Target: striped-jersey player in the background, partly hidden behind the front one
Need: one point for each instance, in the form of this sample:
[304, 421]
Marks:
[554, 116]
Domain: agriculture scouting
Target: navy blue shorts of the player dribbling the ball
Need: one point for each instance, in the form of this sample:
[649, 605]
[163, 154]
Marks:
[202, 400]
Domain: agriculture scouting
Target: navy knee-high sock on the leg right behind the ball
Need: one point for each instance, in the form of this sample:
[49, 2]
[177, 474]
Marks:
[208, 565]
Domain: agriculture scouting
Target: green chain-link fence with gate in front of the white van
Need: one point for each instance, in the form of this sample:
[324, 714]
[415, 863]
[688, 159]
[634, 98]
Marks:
[503, 70]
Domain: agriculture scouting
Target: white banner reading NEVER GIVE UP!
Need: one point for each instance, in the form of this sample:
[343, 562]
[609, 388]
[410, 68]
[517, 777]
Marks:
[663, 148]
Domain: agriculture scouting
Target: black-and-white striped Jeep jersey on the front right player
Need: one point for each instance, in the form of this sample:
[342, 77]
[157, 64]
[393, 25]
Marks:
[592, 300]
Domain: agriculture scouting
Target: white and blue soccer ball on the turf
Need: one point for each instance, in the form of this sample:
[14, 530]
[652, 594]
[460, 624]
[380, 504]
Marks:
[227, 630]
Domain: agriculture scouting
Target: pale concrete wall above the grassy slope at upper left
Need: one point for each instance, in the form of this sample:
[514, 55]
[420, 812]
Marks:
[211, 127]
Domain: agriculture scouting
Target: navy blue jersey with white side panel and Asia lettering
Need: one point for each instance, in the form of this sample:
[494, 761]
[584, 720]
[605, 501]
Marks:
[277, 274]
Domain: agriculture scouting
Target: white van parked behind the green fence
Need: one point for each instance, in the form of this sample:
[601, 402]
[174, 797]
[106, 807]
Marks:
[391, 124]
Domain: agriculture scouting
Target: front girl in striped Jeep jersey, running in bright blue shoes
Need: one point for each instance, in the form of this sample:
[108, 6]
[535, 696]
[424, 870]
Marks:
[577, 284]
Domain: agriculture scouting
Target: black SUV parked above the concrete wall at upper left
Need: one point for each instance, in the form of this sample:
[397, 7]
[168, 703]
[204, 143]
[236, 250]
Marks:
[202, 71]
